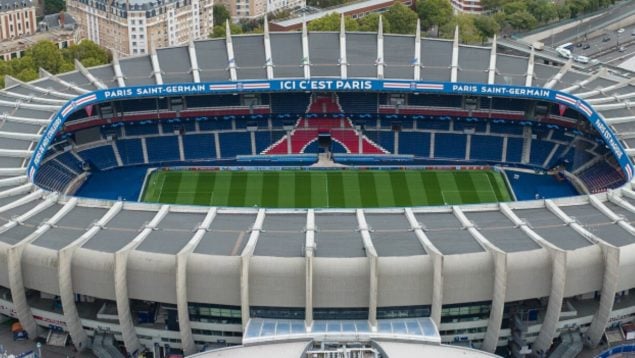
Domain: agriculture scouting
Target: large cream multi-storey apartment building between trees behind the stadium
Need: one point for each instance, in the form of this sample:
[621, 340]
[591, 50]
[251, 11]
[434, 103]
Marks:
[133, 27]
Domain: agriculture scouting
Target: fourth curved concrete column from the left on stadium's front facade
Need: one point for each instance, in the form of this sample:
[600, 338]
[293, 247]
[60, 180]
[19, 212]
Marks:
[185, 327]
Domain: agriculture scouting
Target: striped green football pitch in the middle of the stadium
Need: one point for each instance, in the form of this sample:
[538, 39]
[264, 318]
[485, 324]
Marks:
[325, 188]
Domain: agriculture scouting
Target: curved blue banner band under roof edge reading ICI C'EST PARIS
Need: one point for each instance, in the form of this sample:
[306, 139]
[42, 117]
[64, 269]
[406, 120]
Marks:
[348, 85]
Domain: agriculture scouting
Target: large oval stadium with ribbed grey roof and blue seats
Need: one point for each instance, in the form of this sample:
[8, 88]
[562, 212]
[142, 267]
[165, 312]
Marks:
[171, 203]
